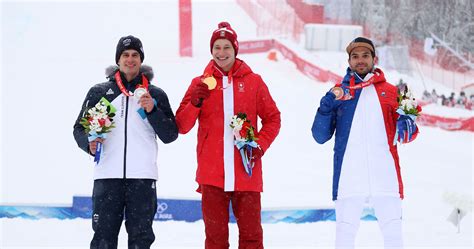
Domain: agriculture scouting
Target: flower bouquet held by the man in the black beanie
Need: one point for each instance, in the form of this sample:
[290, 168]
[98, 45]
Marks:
[98, 121]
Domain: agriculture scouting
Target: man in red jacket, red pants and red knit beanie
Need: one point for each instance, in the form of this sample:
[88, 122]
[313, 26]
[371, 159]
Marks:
[221, 175]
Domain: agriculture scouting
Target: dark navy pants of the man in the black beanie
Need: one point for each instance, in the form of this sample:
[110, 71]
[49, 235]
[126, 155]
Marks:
[114, 198]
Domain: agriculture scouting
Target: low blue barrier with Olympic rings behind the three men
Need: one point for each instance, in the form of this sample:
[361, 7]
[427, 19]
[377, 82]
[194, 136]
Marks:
[171, 209]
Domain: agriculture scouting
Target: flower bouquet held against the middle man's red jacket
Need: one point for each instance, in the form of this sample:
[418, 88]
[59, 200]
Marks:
[244, 139]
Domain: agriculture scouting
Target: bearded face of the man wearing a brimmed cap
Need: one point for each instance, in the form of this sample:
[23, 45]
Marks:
[361, 60]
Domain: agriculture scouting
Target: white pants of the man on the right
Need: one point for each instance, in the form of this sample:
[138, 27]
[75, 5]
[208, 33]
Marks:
[388, 211]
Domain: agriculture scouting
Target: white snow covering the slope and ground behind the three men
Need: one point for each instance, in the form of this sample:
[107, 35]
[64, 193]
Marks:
[53, 52]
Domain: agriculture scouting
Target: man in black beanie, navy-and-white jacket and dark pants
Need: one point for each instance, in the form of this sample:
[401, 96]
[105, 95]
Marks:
[126, 170]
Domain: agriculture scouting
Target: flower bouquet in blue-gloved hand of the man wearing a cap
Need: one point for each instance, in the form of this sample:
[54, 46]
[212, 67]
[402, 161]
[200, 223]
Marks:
[409, 110]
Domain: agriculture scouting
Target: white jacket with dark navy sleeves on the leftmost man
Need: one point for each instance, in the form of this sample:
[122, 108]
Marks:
[130, 149]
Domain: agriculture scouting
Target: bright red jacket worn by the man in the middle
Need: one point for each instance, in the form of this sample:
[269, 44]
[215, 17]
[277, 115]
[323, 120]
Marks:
[250, 96]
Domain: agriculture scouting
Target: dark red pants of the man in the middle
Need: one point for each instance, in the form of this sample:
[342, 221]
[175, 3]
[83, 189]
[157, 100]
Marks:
[215, 210]
